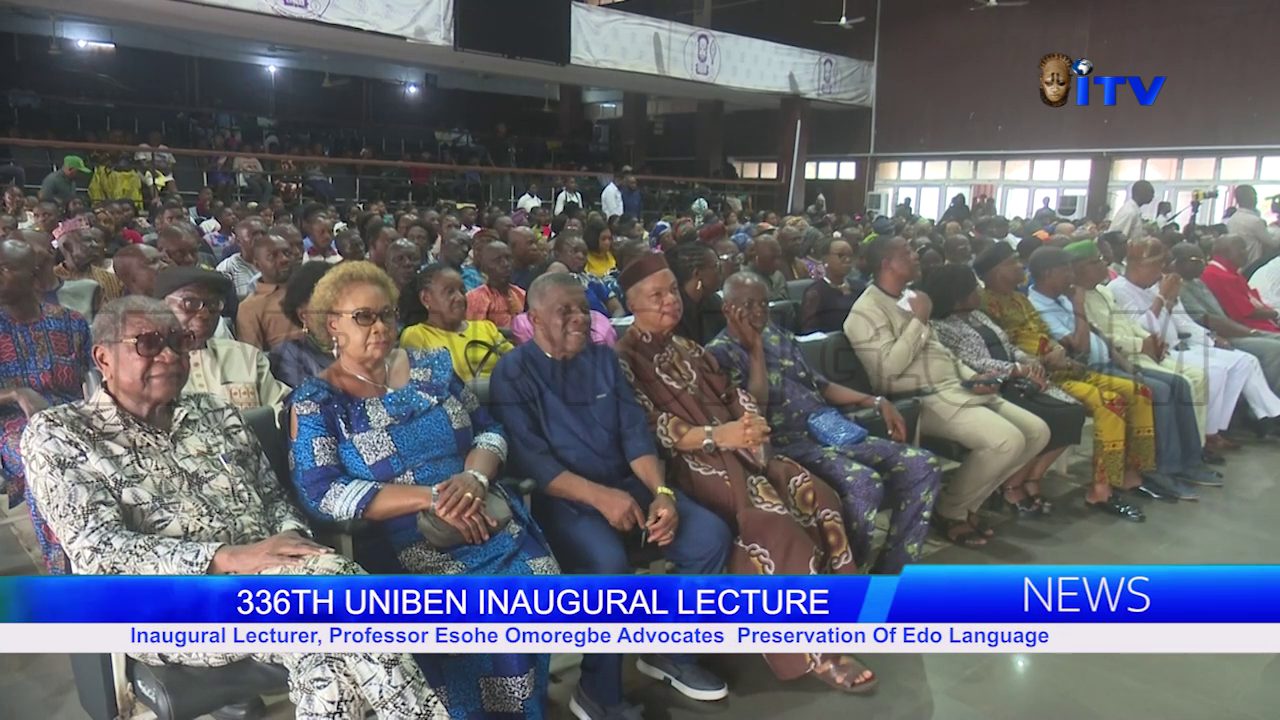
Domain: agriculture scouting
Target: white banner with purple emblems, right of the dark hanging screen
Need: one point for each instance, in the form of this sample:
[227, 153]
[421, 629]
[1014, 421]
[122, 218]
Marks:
[625, 42]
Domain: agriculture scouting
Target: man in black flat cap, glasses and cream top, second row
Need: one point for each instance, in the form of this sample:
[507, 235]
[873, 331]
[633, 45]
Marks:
[235, 371]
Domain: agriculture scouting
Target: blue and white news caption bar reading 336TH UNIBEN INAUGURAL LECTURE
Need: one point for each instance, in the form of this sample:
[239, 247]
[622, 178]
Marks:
[926, 609]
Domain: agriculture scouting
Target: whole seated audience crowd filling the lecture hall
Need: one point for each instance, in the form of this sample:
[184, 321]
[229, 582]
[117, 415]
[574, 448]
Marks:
[650, 381]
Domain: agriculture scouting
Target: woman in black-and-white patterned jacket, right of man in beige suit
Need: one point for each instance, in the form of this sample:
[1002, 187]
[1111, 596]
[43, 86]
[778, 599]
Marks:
[982, 345]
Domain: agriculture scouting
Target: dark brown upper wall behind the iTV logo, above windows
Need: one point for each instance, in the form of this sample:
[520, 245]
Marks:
[953, 80]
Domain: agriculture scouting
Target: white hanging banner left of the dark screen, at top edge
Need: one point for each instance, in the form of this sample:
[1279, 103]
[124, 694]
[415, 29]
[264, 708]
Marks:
[420, 21]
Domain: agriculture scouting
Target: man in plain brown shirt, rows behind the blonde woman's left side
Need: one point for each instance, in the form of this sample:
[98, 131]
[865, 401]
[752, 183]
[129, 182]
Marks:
[260, 321]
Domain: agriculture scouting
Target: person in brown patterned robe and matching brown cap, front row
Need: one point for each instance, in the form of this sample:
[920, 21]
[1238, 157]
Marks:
[788, 523]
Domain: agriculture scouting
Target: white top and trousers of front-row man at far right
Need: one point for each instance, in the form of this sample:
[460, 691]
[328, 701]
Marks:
[1231, 373]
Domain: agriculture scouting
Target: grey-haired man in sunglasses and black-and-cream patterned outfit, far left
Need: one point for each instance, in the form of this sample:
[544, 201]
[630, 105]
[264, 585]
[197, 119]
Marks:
[209, 490]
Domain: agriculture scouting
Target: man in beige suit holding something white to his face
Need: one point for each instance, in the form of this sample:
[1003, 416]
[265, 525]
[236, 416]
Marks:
[890, 332]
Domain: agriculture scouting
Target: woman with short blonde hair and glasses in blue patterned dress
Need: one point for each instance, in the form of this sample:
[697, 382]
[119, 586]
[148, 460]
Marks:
[390, 435]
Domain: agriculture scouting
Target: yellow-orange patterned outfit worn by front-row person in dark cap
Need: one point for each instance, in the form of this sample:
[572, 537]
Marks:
[1124, 421]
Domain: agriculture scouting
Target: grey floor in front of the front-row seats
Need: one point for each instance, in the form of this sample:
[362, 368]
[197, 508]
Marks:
[1235, 525]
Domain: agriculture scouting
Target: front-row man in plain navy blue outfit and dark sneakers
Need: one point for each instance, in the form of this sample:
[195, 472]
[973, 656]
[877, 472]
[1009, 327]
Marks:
[587, 444]
